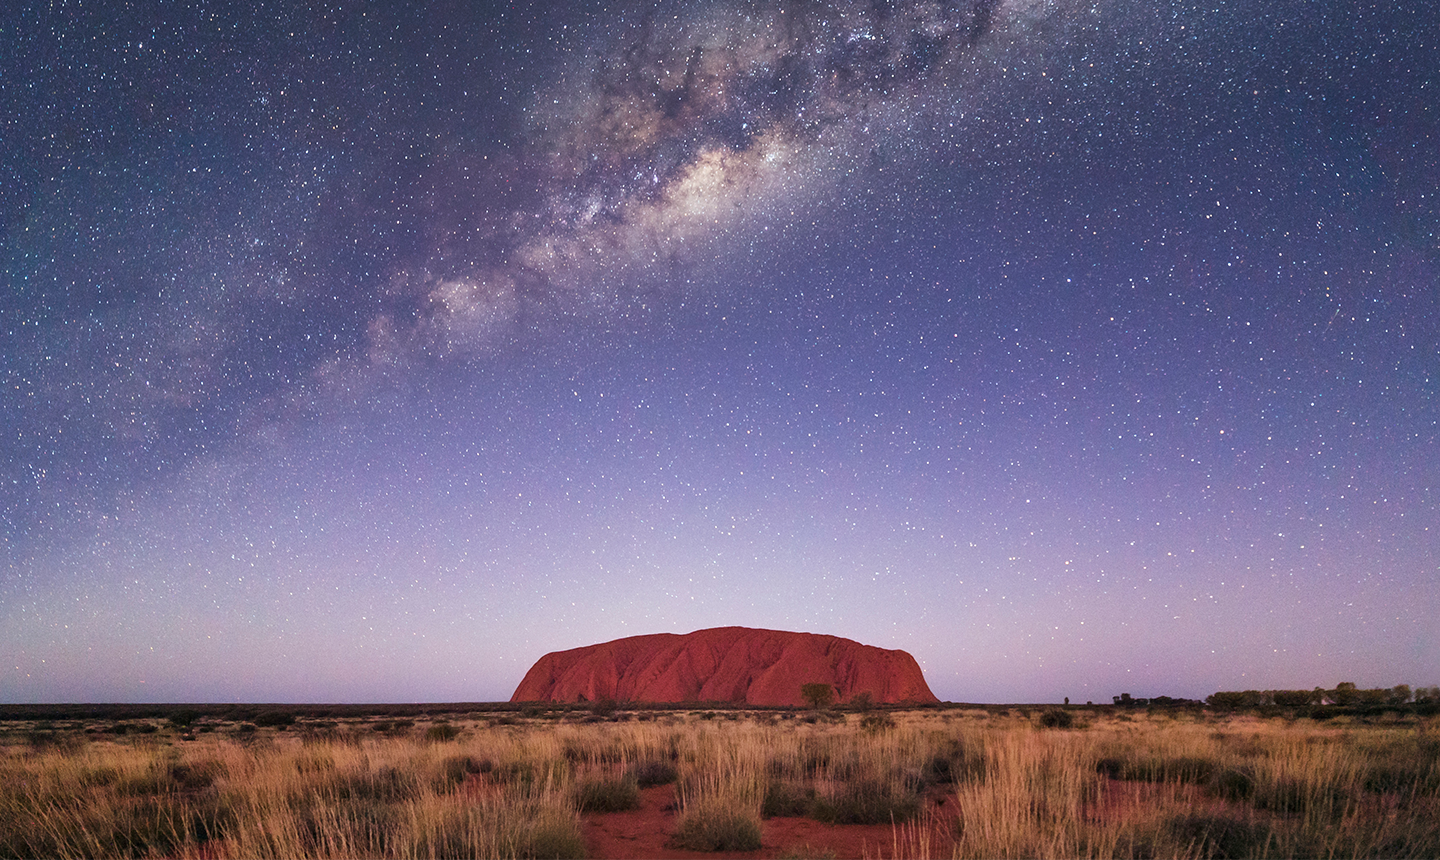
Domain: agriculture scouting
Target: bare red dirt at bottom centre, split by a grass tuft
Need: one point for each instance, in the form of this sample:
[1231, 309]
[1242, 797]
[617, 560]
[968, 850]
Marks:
[646, 835]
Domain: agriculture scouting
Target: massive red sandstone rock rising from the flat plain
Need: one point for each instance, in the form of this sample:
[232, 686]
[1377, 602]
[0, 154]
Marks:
[725, 665]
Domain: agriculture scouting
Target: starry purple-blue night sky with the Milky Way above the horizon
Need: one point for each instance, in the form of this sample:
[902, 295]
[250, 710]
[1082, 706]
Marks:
[366, 352]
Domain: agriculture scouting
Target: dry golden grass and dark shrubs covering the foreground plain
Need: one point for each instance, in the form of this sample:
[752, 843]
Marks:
[1085, 783]
